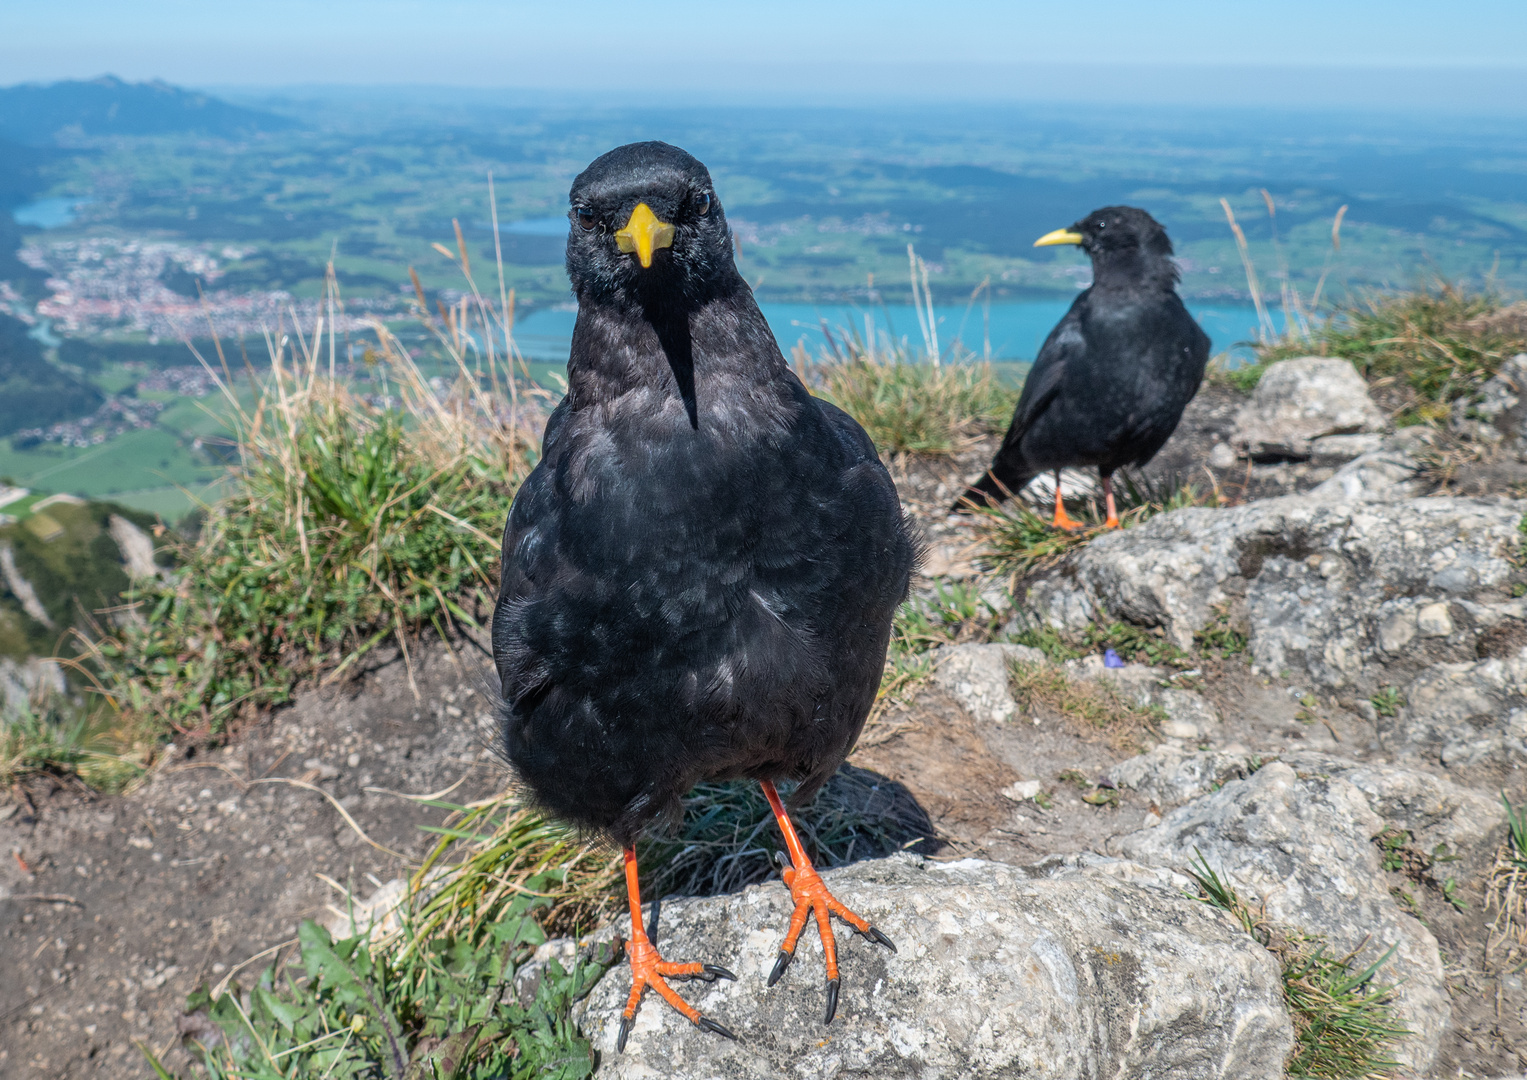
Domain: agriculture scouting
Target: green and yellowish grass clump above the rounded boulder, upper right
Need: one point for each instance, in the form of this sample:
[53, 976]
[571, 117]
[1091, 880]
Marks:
[1432, 344]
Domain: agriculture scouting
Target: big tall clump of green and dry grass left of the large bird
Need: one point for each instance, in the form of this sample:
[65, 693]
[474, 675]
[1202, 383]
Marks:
[347, 526]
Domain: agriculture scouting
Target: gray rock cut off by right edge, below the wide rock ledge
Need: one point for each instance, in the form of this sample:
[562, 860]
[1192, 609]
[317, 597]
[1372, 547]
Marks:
[1462, 714]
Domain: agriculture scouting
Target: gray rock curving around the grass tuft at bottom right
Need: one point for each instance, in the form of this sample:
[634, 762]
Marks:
[1300, 844]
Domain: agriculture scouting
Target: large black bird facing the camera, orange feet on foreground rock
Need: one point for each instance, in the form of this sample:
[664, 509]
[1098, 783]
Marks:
[700, 575]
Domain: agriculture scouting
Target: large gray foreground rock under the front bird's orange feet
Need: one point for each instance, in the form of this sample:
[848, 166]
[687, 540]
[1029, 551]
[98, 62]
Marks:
[1091, 972]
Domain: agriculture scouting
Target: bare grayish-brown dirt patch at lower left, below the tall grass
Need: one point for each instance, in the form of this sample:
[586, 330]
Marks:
[120, 907]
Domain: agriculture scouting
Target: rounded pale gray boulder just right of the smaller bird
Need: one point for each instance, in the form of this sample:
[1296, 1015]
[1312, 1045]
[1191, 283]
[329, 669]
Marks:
[1302, 401]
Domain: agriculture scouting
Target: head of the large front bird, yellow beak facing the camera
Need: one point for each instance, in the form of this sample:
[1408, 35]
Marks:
[647, 224]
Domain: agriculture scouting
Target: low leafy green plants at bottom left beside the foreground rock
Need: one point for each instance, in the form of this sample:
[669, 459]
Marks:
[436, 1010]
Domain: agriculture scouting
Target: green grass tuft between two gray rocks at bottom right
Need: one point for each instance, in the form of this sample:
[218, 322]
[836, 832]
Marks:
[1345, 1020]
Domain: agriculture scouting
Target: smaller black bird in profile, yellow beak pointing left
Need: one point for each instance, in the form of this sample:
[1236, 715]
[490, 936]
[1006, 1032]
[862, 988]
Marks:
[1114, 377]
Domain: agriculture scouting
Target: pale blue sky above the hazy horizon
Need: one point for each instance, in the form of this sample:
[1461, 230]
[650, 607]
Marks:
[1190, 51]
